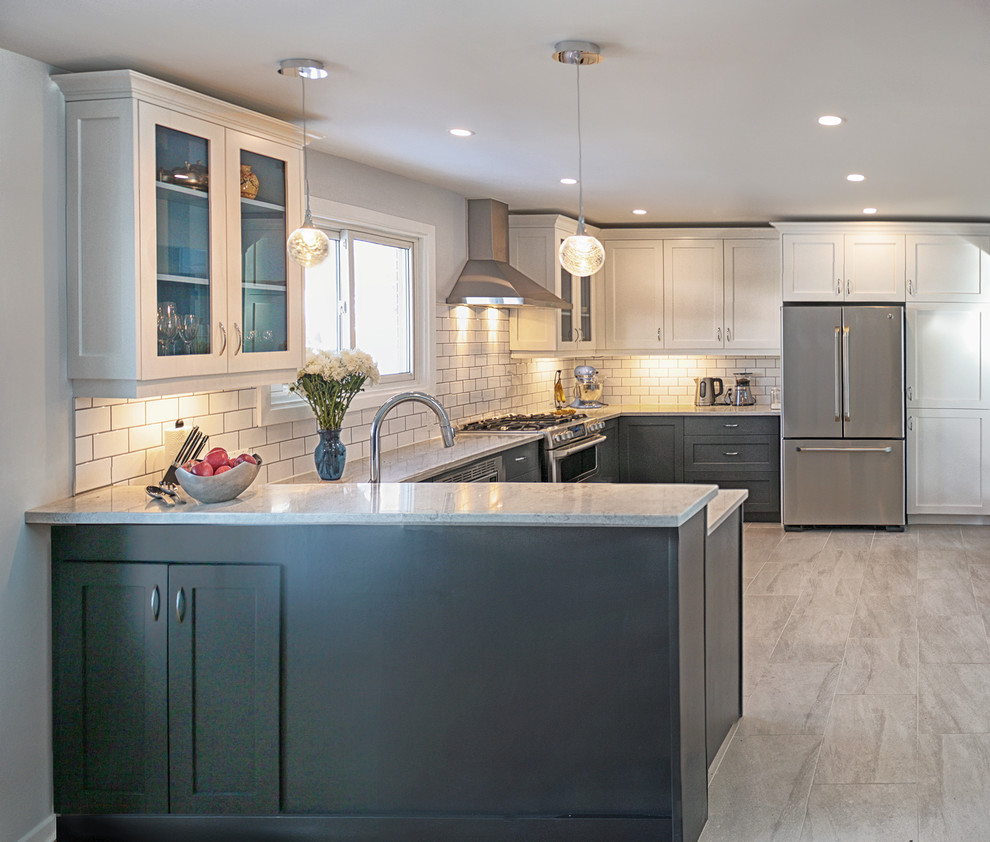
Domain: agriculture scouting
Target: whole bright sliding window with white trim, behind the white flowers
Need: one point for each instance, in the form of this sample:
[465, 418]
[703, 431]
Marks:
[375, 291]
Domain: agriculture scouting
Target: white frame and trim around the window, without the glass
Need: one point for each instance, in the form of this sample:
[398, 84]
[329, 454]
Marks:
[357, 220]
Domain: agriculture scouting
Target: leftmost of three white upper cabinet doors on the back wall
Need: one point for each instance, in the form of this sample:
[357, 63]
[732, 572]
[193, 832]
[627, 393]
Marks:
[634, 306]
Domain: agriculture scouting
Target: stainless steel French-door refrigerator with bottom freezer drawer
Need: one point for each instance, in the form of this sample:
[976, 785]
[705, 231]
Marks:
[842, 415]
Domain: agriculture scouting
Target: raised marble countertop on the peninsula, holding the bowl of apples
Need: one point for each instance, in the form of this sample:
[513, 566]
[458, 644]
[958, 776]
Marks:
[456, 504]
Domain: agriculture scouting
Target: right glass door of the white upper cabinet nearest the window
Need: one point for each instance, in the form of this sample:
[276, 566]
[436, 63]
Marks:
[266, 319]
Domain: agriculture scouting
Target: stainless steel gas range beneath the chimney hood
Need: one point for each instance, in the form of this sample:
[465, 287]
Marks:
[569, 449]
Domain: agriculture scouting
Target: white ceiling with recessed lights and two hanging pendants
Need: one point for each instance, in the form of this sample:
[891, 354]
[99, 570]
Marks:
[703, 111]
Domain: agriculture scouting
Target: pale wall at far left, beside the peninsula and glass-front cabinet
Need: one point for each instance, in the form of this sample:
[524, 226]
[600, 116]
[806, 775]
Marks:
[36, 427]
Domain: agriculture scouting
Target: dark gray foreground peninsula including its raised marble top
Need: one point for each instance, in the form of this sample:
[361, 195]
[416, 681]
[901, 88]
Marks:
[493, 678]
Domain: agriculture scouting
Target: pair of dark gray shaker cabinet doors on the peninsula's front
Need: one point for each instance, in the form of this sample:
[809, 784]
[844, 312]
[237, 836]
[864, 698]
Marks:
[166, 687]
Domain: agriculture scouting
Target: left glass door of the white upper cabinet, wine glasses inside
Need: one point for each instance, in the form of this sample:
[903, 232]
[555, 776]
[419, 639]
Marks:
[183, 291]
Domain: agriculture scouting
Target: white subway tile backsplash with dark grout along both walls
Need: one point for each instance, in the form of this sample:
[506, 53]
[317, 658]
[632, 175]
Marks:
[476, 377]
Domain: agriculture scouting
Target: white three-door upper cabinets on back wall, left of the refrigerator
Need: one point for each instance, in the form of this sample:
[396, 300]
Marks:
[685, 292]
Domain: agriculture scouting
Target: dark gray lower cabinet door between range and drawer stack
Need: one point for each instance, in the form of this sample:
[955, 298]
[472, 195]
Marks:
[650, 448]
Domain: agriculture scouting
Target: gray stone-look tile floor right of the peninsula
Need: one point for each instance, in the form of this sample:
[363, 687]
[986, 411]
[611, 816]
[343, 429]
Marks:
[866, 684]
